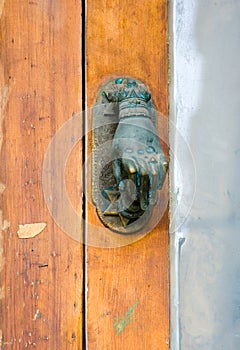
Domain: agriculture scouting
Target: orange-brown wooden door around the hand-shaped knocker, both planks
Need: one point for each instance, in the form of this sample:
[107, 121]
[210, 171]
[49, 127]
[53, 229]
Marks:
[57, 293]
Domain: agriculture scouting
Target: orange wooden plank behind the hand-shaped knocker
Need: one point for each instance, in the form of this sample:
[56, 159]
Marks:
[129, 285]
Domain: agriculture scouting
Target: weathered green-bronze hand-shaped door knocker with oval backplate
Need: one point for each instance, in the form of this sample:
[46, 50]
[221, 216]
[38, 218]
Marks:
[129, 166]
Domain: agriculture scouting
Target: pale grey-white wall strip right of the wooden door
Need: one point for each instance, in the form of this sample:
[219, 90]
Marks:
[205, 178]
